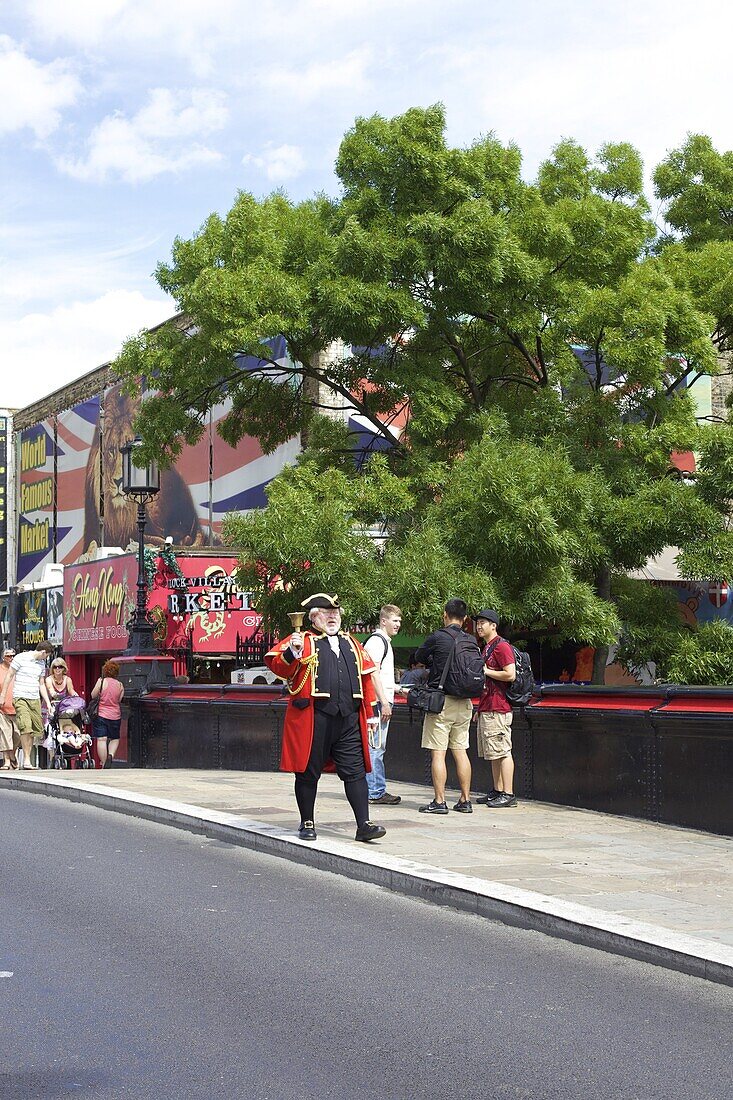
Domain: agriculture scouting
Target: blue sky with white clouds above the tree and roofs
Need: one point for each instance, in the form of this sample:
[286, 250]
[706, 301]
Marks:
[124, 124]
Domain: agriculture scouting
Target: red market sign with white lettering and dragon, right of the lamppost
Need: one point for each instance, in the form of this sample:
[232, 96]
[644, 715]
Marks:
[205, 609]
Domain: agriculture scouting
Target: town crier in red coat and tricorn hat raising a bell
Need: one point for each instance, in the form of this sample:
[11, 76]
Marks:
[330, 712]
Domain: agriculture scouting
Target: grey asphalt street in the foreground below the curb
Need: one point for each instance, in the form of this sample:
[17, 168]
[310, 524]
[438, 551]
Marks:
[139, 961]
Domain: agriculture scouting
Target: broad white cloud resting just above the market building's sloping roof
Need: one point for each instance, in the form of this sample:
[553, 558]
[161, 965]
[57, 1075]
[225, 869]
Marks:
[42, 353]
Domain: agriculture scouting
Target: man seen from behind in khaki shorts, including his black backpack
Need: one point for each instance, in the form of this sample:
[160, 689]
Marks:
[455, 668]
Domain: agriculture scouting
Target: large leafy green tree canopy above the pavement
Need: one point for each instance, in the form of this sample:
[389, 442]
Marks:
[521, 353]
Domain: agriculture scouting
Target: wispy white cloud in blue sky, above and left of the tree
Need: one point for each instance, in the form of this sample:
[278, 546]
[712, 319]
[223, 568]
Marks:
[161, 138]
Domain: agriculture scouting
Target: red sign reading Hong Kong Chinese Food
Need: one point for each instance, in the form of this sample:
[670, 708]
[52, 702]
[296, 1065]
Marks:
[100, 598]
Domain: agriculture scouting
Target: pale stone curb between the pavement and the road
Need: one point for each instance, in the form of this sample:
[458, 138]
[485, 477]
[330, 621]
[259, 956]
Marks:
[522, 909]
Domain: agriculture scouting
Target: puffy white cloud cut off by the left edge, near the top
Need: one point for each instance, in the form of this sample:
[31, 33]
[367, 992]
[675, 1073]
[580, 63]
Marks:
[34, 95]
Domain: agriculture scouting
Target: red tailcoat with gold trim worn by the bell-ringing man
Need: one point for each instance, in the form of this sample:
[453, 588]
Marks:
[300, 676]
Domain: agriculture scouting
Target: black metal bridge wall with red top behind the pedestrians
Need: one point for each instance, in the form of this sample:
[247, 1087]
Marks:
[643, 763]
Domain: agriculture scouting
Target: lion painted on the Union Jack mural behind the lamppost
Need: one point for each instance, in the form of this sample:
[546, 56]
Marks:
[172, 513]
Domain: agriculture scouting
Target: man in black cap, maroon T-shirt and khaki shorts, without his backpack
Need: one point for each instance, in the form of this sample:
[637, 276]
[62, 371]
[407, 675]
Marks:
[495, 733]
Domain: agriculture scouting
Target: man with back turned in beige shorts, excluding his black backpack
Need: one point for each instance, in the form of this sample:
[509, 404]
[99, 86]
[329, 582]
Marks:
[451, 729]
